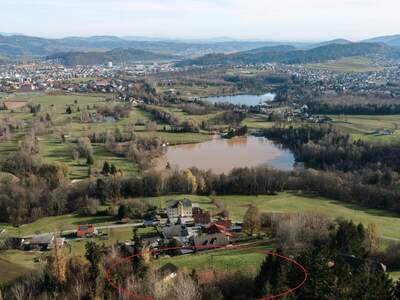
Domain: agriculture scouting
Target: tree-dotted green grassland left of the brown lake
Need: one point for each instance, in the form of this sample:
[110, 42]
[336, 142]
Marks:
[51, 148]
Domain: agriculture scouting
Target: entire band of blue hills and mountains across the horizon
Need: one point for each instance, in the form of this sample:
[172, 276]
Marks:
[73, 50]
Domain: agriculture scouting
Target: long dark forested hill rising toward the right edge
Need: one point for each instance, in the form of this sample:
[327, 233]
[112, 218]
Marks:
[288, 55]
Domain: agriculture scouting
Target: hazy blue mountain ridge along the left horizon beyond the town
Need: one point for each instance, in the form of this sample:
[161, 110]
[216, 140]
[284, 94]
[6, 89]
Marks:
[20, 46]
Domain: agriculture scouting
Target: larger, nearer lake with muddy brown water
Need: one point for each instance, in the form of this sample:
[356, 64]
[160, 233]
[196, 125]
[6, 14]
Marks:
[222, 155]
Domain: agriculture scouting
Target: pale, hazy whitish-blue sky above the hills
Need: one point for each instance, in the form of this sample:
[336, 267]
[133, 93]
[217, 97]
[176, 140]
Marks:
[279, 20]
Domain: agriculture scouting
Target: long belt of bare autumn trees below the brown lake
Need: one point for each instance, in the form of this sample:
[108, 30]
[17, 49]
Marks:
[44, 193]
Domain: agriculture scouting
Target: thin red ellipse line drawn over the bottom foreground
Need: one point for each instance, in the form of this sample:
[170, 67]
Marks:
[129, 293]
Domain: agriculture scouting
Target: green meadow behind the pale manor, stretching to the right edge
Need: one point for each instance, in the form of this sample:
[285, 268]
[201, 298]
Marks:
[388, 224]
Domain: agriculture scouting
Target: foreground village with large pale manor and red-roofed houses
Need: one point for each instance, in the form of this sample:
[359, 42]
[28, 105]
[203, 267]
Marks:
[182, 223]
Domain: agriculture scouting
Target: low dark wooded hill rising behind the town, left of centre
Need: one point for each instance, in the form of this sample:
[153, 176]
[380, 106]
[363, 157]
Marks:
[119, 55]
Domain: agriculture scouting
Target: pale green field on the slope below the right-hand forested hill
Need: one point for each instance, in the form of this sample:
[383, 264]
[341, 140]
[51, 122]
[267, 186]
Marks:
[348, 65]
